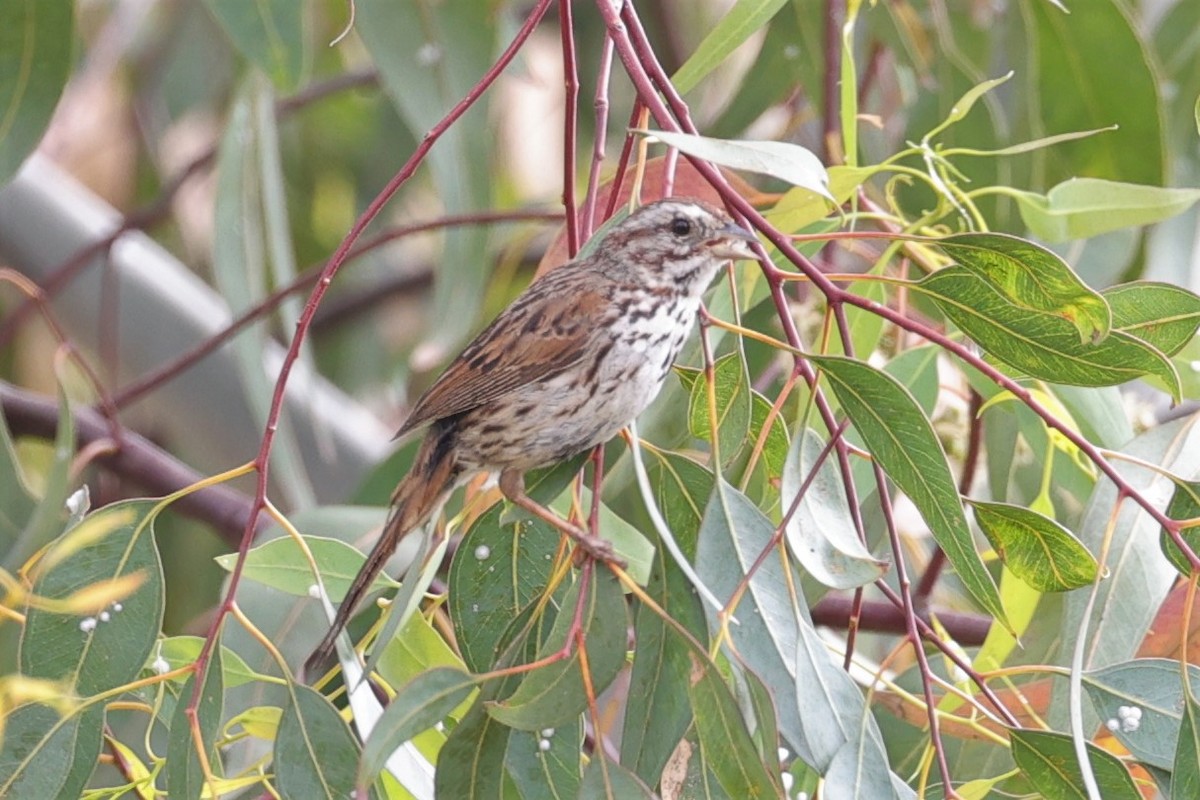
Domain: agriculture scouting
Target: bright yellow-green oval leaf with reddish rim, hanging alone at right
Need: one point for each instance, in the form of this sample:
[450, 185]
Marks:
[1036, 549]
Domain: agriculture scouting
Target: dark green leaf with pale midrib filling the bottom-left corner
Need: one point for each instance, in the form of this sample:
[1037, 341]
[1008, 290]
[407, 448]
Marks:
[47, 755]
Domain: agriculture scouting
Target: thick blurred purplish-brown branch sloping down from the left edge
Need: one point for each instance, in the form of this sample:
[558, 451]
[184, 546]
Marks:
[137, 459]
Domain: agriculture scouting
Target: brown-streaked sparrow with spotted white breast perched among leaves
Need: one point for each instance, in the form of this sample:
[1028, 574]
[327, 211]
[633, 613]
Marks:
[575, 359]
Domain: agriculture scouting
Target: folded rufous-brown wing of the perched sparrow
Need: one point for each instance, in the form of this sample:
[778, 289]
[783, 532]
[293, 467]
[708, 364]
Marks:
[539, 336]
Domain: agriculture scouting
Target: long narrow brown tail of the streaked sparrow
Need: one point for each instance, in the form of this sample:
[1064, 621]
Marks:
[418, 497]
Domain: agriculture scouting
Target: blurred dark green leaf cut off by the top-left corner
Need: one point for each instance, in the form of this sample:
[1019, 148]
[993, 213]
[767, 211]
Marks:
[37, 39]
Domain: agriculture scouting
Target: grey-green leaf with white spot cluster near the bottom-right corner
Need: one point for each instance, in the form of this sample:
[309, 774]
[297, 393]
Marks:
[1155, 688]
